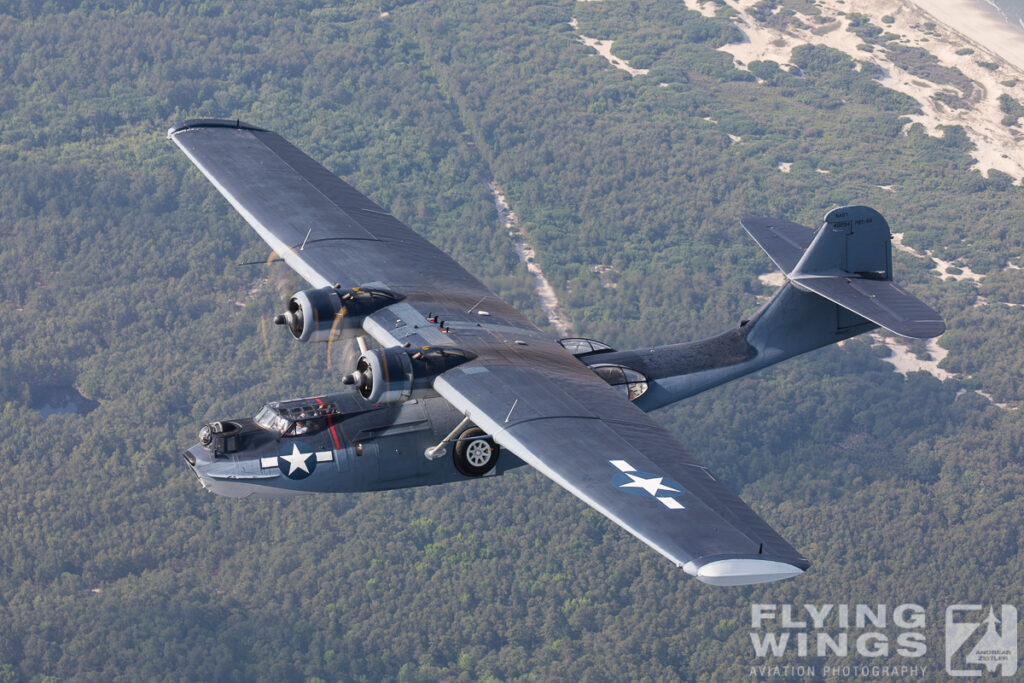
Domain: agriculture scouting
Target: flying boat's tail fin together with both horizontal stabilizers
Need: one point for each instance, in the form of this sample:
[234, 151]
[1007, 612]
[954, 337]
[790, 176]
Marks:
[847, 262]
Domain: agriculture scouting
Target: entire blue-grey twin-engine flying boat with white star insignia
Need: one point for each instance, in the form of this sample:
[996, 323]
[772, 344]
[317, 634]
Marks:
[460, 386]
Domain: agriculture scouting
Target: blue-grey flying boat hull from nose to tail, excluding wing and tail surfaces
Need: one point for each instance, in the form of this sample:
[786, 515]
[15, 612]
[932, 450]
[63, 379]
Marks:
[355, 446]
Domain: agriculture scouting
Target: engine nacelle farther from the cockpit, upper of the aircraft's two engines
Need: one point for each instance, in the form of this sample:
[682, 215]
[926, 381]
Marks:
[332, 314]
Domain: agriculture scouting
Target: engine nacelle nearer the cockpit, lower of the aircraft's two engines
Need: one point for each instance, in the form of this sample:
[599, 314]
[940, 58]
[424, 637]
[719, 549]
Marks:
[393, 375]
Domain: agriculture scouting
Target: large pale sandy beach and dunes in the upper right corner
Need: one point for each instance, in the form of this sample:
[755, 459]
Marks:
[982, 47]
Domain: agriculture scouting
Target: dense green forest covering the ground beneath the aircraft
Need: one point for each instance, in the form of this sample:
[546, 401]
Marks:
[120, 281]
